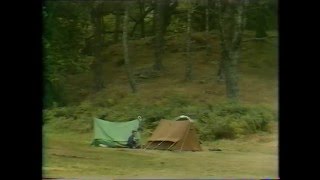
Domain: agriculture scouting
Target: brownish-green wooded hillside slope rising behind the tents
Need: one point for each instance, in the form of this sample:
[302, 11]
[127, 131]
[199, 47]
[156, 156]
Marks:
[165, 94]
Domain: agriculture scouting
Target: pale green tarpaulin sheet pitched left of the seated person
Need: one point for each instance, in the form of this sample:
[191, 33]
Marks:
[113, 134]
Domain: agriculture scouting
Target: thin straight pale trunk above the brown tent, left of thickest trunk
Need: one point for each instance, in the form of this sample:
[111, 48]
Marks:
[189, 59]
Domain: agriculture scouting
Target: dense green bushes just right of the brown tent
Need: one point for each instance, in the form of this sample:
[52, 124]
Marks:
[233, 120]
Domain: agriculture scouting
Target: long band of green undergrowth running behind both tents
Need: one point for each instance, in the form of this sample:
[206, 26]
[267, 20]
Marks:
[214, 122]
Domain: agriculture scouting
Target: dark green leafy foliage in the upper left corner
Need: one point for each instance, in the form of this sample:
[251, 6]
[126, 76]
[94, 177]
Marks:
[65, 29]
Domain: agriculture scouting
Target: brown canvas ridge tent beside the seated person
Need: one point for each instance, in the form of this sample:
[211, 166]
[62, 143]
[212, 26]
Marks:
[174, 135]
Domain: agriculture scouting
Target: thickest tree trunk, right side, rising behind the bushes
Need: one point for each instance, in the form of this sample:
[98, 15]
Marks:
[231, 33]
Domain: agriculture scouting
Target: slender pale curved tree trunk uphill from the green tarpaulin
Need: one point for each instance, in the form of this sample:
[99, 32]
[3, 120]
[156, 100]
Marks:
[126, 53]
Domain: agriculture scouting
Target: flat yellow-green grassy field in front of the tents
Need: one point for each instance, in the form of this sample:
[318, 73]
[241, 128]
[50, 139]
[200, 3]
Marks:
[70, 155]
